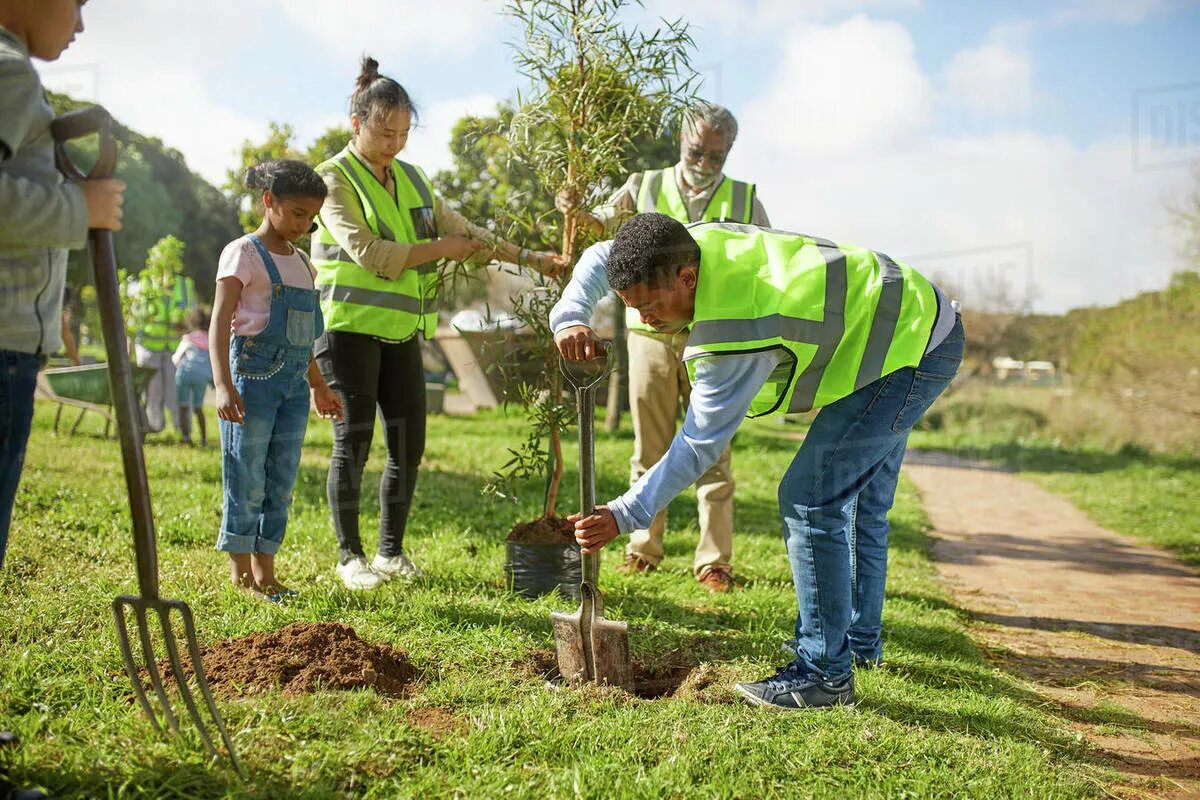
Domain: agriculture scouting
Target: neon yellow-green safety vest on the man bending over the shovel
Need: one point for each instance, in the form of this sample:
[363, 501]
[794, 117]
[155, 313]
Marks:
[843, 316]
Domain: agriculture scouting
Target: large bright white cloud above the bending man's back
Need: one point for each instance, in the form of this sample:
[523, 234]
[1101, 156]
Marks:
[856, 160]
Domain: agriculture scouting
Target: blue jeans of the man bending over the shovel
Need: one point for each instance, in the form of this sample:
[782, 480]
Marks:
[836, 498]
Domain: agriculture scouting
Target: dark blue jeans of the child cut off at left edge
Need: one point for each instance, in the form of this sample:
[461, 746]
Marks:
[19, 380]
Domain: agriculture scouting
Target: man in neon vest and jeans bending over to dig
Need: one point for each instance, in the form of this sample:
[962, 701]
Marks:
[784, 323]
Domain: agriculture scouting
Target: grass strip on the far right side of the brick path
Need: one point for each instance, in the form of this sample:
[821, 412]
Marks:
[1085, 449]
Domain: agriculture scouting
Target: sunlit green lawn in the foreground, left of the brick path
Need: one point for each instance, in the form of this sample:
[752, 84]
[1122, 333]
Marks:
[937, 721]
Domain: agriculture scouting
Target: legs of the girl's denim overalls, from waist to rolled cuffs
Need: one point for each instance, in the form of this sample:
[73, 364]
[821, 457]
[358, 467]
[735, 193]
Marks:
[261, 459]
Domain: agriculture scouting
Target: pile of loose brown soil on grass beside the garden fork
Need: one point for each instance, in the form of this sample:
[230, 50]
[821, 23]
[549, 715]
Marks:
[301, 659]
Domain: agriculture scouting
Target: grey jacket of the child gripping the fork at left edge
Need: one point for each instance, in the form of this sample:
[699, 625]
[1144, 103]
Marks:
[41, 216]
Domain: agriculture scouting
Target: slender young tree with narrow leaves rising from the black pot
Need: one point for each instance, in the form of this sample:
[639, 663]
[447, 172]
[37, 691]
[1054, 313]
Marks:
[596, 89]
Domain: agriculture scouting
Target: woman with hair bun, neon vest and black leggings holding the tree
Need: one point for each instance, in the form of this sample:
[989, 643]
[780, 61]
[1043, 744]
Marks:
[380, 239]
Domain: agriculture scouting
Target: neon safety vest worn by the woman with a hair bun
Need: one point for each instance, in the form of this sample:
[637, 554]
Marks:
[357, 300]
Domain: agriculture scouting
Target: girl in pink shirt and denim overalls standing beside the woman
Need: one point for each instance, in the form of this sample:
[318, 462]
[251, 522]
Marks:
[267, 302]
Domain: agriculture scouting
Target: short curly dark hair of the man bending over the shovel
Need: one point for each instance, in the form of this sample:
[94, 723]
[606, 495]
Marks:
[650, 249]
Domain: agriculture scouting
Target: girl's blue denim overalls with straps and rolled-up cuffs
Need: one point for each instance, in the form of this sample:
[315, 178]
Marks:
[262, 455]
